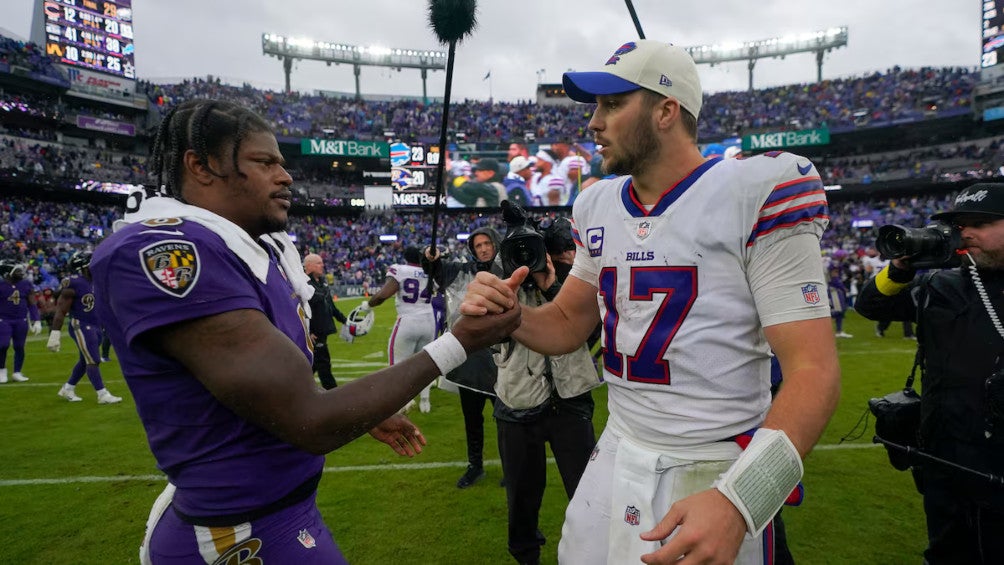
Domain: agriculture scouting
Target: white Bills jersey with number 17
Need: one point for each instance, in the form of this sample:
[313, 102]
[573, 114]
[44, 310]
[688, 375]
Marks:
[686, 289]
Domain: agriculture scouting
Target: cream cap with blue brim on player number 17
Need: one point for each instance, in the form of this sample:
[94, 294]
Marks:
[644, 64]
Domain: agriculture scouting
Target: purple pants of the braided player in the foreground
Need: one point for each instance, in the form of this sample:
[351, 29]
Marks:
[294, 535]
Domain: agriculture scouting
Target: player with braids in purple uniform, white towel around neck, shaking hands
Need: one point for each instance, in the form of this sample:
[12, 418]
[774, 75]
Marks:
[206, 303]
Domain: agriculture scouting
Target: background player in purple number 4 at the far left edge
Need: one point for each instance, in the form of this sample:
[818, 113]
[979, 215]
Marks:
[18, 305]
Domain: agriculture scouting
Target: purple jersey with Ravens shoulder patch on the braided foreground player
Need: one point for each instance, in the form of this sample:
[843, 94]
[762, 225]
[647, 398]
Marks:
[149, 276]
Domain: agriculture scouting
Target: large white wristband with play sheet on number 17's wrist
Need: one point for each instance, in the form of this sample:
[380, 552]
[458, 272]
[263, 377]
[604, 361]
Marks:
[763, 478]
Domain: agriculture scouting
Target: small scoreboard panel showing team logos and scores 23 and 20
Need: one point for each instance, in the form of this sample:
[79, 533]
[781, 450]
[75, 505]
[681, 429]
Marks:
[413, 174]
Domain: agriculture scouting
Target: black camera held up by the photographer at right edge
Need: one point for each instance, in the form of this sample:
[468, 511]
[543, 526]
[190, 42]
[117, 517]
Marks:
[931, 247]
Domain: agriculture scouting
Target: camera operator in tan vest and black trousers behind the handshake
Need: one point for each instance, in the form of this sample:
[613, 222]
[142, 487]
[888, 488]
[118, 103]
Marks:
[542, 399]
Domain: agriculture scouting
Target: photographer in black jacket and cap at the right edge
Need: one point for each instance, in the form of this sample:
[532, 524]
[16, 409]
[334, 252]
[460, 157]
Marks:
[962, 343]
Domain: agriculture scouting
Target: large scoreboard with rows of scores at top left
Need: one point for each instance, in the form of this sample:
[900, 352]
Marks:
[93, 35]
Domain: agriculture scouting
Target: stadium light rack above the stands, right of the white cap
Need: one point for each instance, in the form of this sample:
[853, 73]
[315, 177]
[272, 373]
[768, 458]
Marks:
[820, 43]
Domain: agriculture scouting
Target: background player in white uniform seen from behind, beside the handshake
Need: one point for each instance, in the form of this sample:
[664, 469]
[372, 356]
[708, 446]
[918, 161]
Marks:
[416, 325]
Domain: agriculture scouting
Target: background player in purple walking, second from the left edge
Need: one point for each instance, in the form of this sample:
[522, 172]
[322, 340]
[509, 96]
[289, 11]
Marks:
[77, 300]
